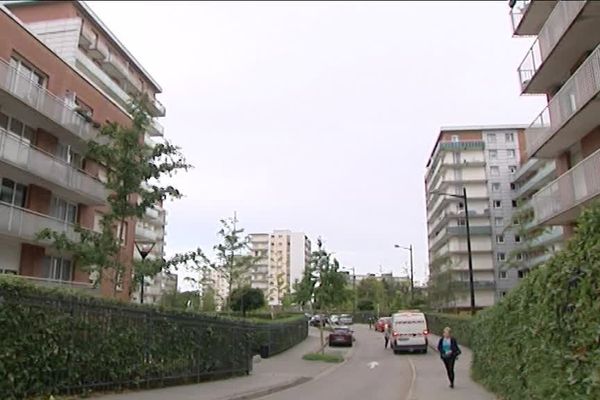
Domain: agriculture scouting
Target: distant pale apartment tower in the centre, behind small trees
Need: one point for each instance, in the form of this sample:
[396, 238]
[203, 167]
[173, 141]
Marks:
[283, 256]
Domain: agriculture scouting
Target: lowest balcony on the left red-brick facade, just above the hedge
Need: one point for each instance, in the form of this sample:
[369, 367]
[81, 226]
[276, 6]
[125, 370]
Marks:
[25, 224]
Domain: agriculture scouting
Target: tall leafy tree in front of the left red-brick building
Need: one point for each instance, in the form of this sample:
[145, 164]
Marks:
[133, 171]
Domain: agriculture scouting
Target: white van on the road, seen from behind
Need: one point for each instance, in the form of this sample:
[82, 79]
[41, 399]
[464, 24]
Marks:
[409, 331]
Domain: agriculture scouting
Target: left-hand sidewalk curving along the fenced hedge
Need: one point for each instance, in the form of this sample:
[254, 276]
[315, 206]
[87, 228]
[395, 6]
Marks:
[268, 376]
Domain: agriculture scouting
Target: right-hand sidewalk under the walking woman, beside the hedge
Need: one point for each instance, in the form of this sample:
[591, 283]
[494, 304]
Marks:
[431, 385]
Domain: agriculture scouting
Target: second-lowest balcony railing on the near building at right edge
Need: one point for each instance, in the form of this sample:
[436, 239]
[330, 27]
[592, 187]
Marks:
[581, 87]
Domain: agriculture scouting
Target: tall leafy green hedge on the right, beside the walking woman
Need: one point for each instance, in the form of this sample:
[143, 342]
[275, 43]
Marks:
[542, 341]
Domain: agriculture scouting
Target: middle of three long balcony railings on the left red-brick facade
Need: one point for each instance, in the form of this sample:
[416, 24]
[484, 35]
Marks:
[19, 153]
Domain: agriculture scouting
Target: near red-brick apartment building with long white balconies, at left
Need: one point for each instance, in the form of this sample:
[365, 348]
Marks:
[62, 75]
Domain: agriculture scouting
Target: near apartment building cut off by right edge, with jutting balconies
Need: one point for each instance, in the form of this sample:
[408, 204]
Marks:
[563, 64]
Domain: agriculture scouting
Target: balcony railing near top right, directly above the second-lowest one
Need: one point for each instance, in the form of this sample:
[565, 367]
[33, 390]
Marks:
[558, 22]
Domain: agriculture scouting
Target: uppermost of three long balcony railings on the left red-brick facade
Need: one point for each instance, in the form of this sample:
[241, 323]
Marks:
[44, 102]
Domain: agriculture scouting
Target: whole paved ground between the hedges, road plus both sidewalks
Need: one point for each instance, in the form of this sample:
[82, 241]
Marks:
[369, 372]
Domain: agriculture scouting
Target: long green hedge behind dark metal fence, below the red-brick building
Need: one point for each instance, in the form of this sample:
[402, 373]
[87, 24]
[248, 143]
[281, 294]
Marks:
[59, 342]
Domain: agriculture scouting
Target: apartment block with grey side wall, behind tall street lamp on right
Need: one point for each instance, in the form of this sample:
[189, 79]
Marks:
[482, 160]
